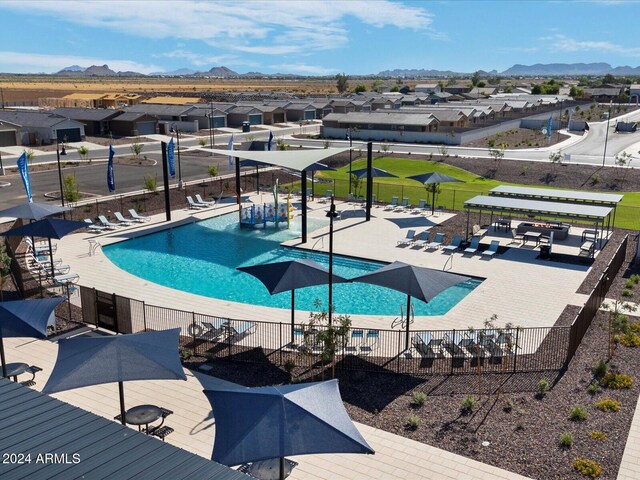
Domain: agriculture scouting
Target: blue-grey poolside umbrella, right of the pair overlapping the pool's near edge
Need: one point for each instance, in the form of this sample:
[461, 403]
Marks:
[418, 282]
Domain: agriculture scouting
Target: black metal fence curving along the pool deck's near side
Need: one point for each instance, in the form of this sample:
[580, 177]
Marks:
[441, 352]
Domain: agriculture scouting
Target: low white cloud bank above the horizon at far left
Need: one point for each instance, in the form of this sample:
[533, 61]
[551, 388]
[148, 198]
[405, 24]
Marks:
[21, 62]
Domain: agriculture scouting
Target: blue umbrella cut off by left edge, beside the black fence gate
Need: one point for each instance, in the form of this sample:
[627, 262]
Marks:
[25, 318]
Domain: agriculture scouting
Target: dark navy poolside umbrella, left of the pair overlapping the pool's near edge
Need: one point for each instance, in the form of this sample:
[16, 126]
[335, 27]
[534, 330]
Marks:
[290, 275]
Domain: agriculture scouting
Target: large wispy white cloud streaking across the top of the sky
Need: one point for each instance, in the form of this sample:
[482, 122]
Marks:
[257, 26]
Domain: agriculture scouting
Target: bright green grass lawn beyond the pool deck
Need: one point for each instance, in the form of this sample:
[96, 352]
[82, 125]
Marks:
[451, 196]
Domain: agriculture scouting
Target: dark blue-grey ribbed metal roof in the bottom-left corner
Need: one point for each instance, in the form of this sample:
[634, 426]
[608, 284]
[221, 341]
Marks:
[37, 423]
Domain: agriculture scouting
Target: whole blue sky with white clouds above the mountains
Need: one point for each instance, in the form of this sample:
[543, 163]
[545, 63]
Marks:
[314, 38]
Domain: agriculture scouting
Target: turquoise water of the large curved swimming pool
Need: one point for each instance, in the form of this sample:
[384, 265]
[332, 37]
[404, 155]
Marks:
[202, 257]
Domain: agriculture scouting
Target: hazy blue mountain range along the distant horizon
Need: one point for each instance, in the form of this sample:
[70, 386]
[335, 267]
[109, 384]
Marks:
[539, 69]
